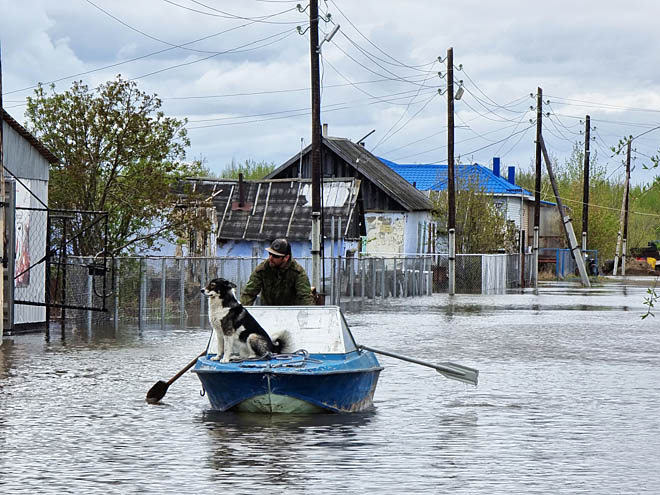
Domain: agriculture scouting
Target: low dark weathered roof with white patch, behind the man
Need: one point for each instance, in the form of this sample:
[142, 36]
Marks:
[278, 207]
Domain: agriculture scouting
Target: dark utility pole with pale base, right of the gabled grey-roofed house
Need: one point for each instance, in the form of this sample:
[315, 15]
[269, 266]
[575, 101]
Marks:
[451, 192]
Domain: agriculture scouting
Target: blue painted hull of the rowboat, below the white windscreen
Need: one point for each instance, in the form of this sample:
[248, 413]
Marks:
[313, 383]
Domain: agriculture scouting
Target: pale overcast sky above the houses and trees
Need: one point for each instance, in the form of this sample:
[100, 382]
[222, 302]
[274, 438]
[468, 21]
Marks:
[239, 72]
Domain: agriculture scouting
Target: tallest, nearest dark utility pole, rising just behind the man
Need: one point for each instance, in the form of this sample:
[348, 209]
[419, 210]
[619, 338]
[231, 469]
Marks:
[316, 142]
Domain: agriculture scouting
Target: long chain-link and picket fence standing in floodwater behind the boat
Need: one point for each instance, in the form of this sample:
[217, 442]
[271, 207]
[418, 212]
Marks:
[169, 288]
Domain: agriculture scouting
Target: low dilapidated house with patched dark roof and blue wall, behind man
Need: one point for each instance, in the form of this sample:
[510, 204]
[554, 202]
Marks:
[247, 215]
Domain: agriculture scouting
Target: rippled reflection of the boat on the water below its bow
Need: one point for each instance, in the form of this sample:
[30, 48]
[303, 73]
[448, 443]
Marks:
[282, 449]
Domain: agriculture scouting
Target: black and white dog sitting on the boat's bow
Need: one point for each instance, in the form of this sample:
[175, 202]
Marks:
[236, 330]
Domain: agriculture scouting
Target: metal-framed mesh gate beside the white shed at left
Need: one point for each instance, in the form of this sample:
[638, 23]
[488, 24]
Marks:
[71, 282]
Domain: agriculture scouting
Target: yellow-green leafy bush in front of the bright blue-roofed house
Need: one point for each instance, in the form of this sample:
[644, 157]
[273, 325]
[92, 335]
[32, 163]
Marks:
[480, 226]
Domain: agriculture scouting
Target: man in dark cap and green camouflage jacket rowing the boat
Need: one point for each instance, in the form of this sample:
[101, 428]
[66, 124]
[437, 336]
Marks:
[281, 280]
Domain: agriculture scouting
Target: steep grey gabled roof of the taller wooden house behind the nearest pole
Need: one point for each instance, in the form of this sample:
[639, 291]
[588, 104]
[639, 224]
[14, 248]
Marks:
[367, 164]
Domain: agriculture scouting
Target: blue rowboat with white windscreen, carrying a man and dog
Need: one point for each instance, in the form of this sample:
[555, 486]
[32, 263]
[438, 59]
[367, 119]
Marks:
[322, 369]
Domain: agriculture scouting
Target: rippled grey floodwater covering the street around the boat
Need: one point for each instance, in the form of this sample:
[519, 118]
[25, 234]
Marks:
[568, 402]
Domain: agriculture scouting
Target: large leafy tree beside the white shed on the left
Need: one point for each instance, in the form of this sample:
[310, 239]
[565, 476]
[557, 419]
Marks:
[118, 153]
